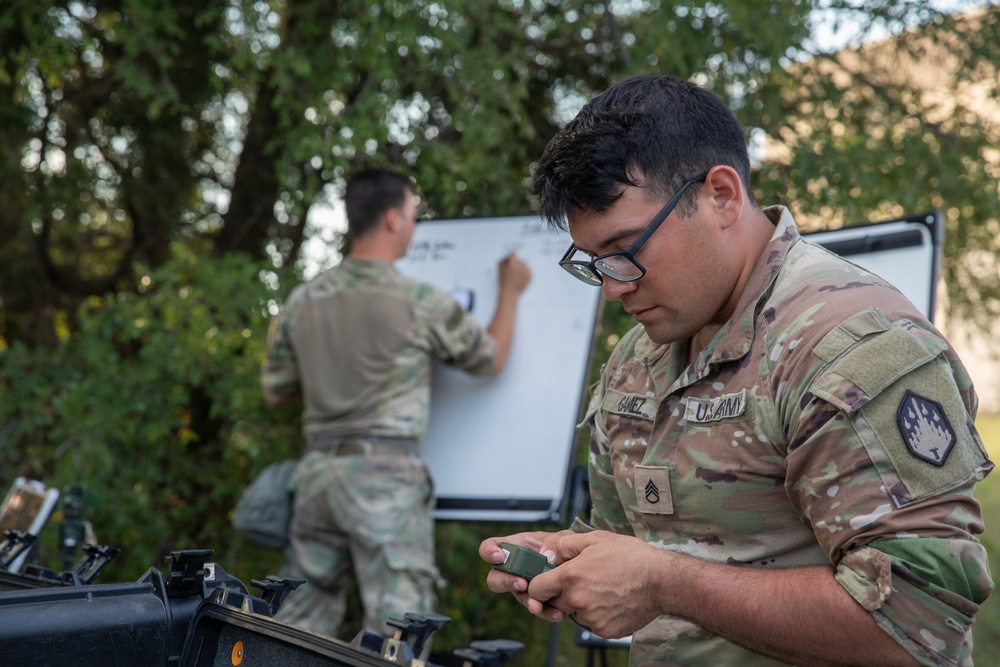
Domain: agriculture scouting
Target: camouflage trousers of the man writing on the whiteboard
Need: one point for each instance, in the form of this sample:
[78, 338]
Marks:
[364, 518]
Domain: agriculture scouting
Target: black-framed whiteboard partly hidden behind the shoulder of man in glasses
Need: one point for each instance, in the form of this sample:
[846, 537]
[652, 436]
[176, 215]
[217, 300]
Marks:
[905, 251]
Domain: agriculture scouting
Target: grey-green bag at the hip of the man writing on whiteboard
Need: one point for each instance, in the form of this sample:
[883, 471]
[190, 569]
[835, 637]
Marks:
[264, 510]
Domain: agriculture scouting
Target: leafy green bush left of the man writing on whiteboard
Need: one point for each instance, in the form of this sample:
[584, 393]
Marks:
[152, 406]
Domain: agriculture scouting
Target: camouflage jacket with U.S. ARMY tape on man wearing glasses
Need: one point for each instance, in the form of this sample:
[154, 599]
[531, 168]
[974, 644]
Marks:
[827, 423]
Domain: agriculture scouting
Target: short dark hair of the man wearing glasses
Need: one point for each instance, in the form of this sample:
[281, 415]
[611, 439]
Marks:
[656, 128]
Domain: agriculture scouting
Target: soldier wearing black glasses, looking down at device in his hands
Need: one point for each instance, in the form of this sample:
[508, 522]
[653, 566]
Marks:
[783, 454]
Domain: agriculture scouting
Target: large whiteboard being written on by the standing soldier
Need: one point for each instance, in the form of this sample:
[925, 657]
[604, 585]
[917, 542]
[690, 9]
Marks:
[500, 448]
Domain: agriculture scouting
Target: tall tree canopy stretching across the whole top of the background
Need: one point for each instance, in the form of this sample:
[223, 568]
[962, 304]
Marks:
[128, 125]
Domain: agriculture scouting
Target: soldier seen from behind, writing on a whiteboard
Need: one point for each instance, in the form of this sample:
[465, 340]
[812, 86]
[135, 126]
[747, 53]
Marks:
[356, 346]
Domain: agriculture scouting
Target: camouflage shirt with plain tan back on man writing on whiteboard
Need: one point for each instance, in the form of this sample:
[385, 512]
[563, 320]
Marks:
[357, 342]
